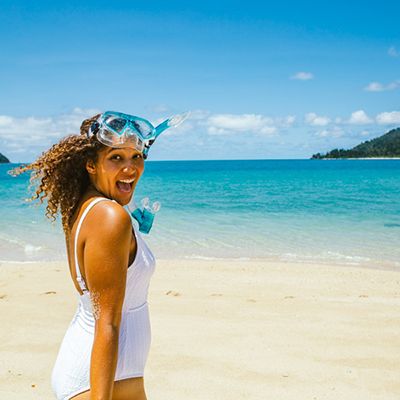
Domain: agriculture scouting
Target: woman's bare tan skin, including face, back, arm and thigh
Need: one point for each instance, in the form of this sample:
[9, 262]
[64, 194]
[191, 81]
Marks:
[106, 247]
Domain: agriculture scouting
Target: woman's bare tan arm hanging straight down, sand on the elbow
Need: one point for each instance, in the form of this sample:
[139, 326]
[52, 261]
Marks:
[106, 258]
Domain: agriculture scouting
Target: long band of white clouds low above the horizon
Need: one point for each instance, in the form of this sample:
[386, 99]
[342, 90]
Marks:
[23, 139]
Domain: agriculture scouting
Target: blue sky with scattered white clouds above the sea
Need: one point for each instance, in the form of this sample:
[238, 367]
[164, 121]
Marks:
[262, 80]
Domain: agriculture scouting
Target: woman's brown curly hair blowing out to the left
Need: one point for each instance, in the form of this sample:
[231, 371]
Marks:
[59, 175]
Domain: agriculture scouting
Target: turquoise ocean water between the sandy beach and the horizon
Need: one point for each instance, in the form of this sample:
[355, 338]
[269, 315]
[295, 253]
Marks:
[343, 212]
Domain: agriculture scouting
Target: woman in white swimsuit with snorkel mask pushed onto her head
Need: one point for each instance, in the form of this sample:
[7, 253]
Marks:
[88, 178]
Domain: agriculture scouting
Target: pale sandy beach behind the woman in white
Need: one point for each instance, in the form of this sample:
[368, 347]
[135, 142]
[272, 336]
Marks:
[224, 330]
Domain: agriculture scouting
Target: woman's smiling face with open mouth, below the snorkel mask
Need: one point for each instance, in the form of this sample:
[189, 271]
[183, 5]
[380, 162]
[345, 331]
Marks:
[116, 172]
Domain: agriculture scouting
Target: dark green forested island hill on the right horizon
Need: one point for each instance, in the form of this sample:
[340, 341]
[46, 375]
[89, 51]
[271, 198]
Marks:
[385, 146]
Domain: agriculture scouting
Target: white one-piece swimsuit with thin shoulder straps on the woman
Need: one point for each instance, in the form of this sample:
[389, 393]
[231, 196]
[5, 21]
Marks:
[71, 372]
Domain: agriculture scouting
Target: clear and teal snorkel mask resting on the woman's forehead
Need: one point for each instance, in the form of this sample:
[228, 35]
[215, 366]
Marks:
[115, 129]
